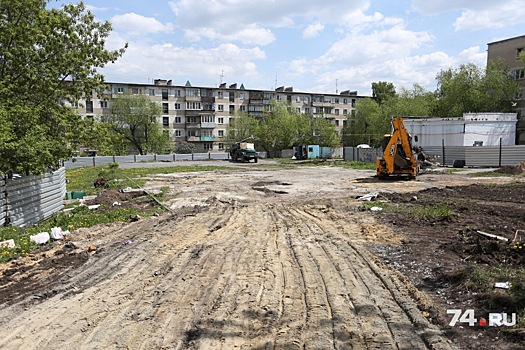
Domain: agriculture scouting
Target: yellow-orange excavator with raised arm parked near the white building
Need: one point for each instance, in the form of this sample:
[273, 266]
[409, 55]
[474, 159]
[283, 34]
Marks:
[397, 158]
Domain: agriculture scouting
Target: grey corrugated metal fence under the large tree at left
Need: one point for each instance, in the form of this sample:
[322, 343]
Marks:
[26, 200]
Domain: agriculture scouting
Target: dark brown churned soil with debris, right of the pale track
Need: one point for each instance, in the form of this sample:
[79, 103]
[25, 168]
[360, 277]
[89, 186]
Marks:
[439, 249]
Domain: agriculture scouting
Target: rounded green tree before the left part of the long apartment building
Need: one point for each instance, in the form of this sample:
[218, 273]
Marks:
[136, 119]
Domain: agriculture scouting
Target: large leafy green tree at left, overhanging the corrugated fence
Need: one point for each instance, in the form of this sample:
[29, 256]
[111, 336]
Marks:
[46, 56]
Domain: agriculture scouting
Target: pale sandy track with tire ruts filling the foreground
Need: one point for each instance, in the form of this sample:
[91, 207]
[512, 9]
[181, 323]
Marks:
[275, 276]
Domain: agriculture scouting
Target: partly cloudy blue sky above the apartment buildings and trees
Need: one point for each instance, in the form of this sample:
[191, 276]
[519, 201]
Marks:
[313, 46]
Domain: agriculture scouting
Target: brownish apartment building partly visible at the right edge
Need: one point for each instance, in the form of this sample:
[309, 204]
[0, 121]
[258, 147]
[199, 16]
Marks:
[509, 50]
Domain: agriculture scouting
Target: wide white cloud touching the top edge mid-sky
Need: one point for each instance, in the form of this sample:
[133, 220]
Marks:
[237, 20]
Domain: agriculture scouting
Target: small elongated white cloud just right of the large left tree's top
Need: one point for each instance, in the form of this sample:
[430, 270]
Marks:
[132, 23]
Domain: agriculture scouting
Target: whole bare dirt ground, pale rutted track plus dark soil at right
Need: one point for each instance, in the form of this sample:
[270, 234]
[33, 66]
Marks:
[262, 258]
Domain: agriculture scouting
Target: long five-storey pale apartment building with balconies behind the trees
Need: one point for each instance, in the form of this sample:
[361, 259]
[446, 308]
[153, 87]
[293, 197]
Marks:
[201, 115]
